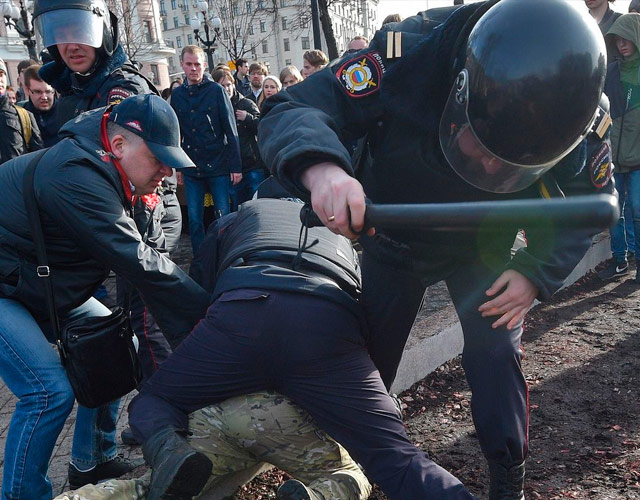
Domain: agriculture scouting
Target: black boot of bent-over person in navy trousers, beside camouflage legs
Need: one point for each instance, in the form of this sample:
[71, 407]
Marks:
[178, 471]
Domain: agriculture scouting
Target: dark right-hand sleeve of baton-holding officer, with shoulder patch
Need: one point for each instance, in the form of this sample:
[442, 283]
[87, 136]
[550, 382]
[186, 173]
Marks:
[551, 254]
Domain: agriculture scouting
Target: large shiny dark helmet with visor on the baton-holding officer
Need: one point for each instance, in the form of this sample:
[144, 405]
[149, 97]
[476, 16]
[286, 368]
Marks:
[528, 93]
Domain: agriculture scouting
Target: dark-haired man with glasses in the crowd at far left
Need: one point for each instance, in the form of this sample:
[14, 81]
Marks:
[42, 103]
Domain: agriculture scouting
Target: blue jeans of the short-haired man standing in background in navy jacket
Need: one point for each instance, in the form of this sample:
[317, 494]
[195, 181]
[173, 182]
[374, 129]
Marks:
[195, 189]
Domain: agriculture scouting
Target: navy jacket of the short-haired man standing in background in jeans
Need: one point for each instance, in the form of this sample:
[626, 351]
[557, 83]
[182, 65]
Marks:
[208, 127]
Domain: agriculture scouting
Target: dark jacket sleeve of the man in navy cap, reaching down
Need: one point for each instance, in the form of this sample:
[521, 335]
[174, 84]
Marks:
[89, 210]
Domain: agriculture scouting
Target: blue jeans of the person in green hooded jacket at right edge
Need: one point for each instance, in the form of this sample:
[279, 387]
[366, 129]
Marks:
[628, 187]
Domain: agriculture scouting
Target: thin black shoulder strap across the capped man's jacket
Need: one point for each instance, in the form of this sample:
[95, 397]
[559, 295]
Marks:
[43, 270]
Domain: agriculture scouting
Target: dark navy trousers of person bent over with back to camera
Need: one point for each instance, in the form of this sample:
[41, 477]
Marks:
[310, 350]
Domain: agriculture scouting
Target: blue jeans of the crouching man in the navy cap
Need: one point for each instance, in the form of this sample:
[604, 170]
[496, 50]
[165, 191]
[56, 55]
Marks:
[31, 368]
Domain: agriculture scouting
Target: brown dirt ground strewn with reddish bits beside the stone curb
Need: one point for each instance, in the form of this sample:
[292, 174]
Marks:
[582, 363]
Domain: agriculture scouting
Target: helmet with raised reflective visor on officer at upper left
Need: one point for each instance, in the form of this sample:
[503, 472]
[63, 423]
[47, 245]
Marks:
[86, 22]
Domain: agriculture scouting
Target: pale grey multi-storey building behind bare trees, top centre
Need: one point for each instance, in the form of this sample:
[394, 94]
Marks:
[275, 32]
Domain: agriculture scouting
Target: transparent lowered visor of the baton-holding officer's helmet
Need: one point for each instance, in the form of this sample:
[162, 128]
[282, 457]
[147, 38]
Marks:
[475, 163]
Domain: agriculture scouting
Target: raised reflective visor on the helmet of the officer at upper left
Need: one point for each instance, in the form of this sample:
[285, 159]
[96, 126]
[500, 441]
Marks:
[70, 26]
